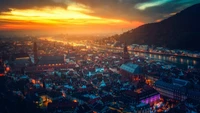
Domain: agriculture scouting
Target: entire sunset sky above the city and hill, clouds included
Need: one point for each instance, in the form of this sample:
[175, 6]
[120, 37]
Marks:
[84, 16]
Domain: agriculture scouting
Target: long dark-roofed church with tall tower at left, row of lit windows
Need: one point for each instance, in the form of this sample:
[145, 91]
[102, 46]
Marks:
[47, 62]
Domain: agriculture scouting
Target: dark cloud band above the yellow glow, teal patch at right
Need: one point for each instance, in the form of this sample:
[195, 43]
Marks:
[131, 10]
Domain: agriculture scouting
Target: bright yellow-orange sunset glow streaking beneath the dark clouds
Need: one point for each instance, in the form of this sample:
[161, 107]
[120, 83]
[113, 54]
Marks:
[73, 17]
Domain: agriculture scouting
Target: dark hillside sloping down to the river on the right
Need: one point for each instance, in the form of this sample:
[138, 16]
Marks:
[181, 31]
